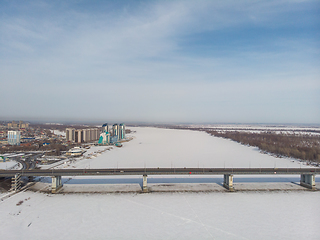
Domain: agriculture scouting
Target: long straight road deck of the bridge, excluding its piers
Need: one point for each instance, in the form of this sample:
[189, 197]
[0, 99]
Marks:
[159, 171]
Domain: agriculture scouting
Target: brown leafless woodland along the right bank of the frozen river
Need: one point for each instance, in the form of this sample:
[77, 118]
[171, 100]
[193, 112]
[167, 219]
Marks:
[304, 147]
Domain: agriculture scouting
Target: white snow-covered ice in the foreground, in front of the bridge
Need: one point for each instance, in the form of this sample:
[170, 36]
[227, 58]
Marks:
[249, 215]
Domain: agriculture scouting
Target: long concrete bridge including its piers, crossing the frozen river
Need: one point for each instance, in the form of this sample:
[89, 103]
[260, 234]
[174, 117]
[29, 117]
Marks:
[307, 175]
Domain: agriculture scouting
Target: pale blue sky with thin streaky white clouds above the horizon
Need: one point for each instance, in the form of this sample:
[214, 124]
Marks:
[231, 61]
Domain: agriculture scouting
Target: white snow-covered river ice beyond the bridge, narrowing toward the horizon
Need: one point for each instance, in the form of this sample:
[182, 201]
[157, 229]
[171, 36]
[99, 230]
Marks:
[165, 148]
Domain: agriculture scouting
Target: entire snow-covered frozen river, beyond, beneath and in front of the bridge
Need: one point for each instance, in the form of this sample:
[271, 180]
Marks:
[167, 215]
